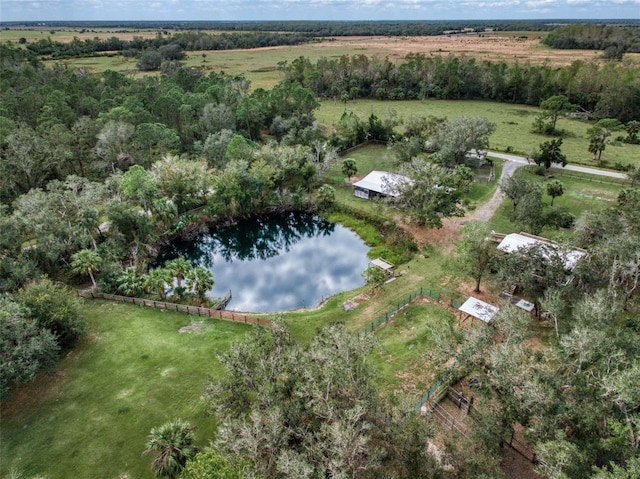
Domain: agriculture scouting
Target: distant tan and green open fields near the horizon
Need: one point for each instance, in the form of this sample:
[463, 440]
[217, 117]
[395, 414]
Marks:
[260, 65]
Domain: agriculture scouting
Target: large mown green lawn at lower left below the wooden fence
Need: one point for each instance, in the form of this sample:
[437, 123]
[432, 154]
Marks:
[134, 371]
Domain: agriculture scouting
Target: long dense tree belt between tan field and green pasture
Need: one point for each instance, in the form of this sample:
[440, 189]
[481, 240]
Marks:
[607, 91]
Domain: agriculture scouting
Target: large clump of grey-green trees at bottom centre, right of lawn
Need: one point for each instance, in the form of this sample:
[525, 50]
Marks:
[313, 412]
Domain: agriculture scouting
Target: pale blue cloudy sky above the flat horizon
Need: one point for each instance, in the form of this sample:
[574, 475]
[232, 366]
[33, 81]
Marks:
[173, 10]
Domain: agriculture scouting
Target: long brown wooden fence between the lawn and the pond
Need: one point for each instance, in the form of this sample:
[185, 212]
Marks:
[182, 308]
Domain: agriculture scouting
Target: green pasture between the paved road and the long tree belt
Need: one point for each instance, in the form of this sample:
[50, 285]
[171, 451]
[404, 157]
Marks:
[513, 125]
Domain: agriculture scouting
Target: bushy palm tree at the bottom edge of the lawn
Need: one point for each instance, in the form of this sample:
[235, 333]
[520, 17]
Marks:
[173, 444]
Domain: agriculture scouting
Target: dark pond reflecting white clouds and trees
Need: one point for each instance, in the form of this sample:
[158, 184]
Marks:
[277, 262]
